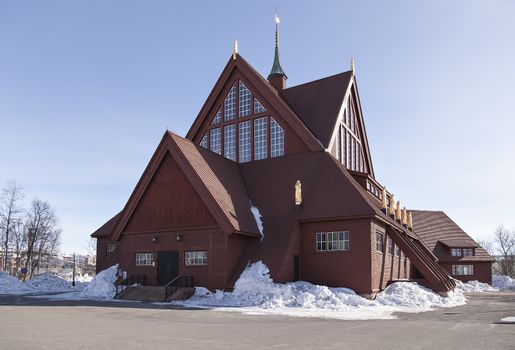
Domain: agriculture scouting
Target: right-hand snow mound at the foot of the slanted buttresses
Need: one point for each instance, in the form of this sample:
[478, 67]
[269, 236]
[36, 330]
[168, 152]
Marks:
[411, 295]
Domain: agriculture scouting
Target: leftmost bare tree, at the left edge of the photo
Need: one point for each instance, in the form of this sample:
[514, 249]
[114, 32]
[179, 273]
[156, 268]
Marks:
[10, 214]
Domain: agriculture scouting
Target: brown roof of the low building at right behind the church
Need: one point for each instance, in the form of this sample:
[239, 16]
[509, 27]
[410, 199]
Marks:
[437, 231]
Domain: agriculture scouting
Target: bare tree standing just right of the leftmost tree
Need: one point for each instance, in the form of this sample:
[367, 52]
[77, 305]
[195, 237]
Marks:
[43, 236]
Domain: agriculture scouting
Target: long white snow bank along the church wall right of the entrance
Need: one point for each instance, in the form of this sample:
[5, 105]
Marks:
[255, 292]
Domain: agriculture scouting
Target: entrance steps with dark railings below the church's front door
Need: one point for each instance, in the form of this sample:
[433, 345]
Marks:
[154, 294]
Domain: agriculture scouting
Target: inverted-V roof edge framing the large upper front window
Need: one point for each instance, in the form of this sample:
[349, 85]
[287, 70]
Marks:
[269, 94]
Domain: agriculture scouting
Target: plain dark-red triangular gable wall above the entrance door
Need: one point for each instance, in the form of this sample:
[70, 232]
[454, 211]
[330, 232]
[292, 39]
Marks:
[169, 202]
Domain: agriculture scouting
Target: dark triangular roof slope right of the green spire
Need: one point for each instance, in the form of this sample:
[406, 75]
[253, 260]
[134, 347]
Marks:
[318, 103]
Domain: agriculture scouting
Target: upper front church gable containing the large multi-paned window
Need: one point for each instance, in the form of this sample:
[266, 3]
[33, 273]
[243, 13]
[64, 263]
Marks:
[243, 119]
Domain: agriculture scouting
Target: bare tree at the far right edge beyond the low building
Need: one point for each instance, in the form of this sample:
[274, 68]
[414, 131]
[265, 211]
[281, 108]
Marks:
[504, 243]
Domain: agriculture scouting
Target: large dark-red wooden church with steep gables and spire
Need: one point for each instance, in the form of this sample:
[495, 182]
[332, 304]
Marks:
[272, 173]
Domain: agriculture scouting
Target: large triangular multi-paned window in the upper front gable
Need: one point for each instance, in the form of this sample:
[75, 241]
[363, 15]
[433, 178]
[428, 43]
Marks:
[242, 129]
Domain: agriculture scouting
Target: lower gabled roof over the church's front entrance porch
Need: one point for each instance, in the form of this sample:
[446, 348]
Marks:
[216, 179]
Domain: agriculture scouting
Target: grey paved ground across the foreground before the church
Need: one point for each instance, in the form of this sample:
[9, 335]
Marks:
[27, 323]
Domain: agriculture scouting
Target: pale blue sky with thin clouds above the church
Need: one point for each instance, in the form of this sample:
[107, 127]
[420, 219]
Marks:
[87, 88]
